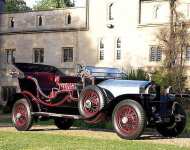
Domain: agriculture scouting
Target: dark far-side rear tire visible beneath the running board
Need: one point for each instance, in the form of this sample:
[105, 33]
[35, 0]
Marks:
[63, 123]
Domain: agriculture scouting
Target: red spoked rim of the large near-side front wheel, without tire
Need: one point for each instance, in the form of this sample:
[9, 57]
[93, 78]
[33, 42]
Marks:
[127, 120]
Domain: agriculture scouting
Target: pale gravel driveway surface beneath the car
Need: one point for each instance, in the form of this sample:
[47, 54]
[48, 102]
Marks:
[109, 135]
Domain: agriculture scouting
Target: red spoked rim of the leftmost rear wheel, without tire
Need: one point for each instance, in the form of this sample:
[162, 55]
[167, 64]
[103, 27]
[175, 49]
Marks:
[20, 115]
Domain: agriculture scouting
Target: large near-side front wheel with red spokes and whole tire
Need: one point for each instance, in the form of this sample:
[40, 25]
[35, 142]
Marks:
[129, 119]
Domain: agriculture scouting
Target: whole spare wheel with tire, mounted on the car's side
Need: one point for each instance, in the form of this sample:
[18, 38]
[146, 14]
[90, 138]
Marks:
[91, 101]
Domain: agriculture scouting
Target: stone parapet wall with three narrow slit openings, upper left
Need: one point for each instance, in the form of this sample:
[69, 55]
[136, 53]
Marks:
[53, 20]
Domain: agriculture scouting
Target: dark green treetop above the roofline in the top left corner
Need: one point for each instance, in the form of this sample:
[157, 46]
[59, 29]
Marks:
[16, 5]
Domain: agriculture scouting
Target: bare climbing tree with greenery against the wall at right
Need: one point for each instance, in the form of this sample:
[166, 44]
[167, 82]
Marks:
[174, 41]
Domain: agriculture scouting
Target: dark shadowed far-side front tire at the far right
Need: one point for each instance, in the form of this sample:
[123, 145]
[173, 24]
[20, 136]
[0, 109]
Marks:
[174, 128]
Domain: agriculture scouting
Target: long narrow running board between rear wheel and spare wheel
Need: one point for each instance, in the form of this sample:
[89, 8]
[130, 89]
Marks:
[57, 115]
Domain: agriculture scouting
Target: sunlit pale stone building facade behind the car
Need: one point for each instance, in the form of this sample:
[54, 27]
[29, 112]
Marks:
[114, 33]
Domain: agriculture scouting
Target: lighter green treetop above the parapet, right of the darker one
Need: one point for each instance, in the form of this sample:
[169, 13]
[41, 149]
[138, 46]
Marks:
[51, 4]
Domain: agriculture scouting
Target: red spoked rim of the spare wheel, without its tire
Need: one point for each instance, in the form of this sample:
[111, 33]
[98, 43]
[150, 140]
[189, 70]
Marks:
[91, 103]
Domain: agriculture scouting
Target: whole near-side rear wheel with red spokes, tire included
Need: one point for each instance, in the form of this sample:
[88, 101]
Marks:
[21, 115]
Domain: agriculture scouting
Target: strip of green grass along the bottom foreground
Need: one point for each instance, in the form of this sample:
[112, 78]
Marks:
[46, 141]
